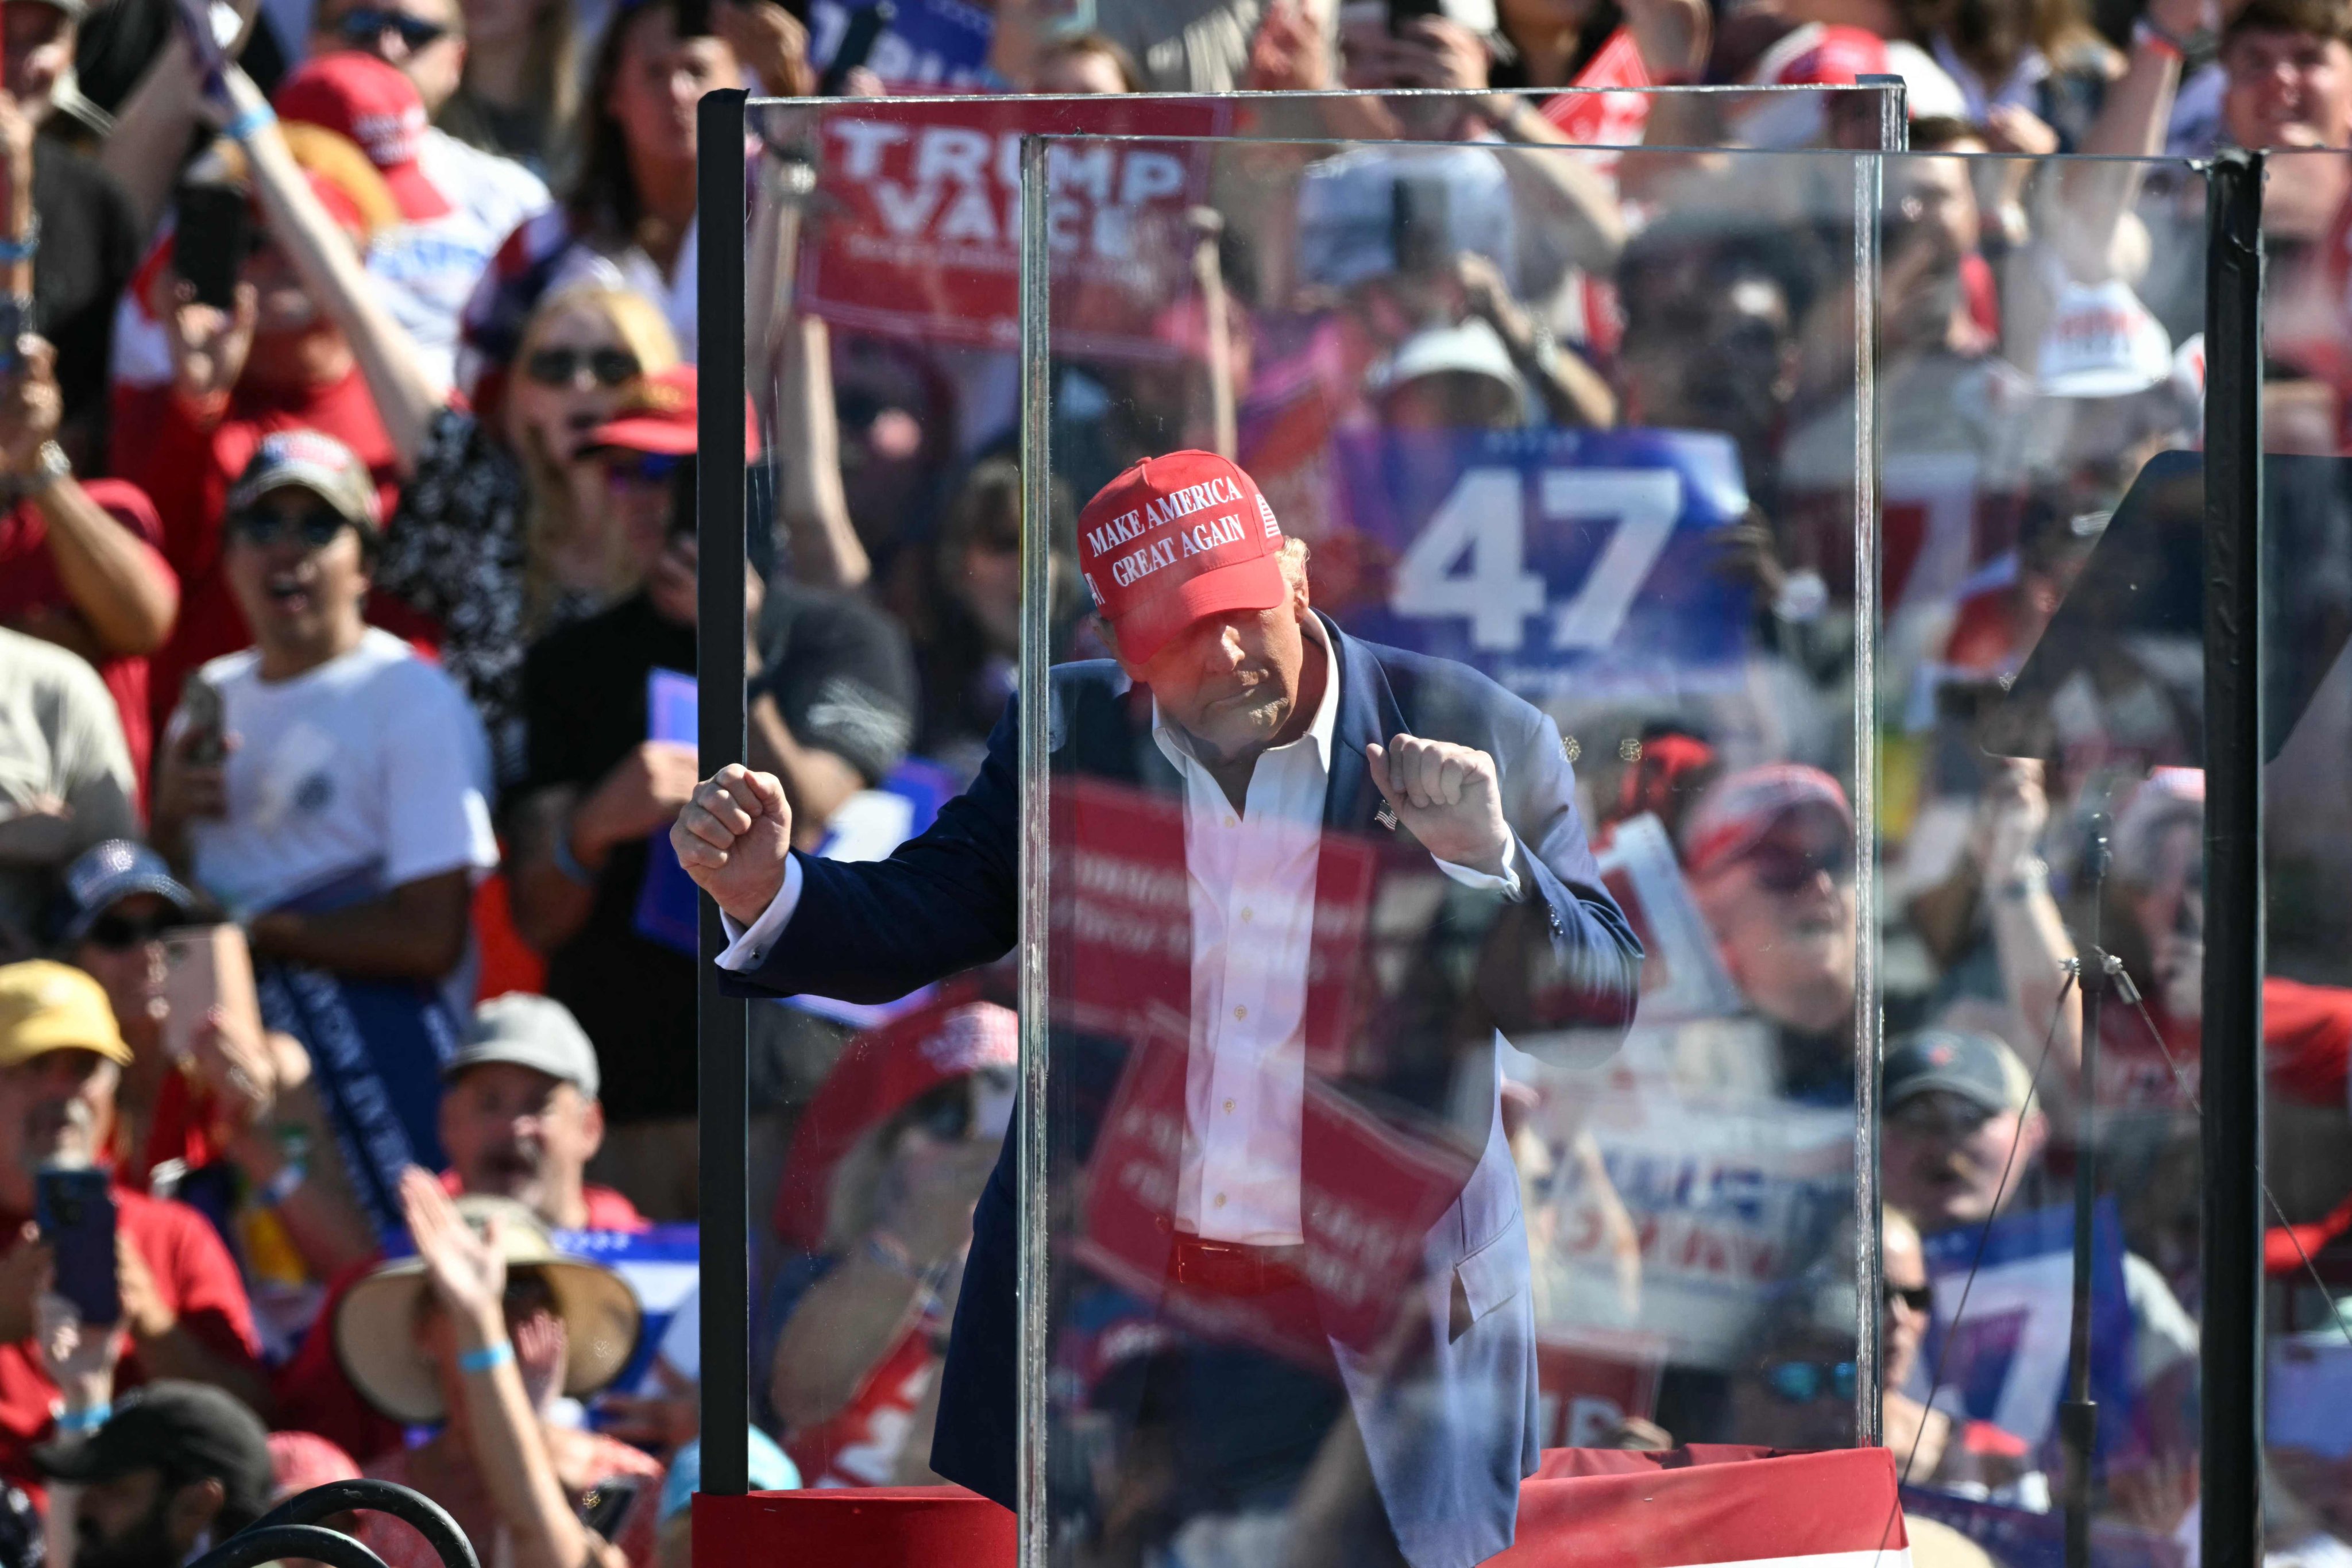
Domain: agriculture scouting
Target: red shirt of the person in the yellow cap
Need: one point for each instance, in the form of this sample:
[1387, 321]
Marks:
[196, 1280]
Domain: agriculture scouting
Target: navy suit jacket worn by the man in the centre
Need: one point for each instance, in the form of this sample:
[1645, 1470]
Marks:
[1448, 1454]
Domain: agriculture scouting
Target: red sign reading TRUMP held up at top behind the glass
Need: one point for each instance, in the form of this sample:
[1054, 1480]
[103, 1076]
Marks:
[918, 225]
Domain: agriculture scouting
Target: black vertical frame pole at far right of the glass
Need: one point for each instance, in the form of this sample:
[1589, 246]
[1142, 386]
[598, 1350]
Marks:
[2231, 1358]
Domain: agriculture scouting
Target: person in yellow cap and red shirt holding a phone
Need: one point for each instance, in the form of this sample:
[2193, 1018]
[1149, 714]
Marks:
[185, 1311]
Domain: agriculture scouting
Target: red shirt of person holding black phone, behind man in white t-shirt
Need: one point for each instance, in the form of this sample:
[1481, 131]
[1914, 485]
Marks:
[187, 467]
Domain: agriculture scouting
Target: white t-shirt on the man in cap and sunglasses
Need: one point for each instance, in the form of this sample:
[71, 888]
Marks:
[345, 784]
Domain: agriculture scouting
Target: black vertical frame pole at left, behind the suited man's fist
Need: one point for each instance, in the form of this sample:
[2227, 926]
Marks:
[723, 1024]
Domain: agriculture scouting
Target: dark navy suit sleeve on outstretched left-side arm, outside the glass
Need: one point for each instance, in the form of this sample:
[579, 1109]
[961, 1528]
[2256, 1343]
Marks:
[942, 904]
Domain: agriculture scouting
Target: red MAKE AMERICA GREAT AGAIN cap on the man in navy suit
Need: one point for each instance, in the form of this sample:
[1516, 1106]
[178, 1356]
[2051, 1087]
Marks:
[1172, 542]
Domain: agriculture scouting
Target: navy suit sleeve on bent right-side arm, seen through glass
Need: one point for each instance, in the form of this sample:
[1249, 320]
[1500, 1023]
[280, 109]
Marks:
[1568, 958]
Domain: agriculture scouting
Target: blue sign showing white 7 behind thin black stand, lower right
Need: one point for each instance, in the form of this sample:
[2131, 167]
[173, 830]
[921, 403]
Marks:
[2003, 1355]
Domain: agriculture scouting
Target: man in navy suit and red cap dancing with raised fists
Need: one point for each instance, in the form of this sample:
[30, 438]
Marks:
[1274, 758]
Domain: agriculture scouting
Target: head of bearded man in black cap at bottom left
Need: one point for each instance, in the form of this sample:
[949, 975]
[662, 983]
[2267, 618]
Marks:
[178, 1470]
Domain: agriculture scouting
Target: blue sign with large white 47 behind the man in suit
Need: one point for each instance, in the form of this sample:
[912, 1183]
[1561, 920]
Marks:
[1553, 561]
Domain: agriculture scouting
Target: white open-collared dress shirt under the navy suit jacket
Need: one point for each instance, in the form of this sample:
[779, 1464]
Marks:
[1252, 883]
